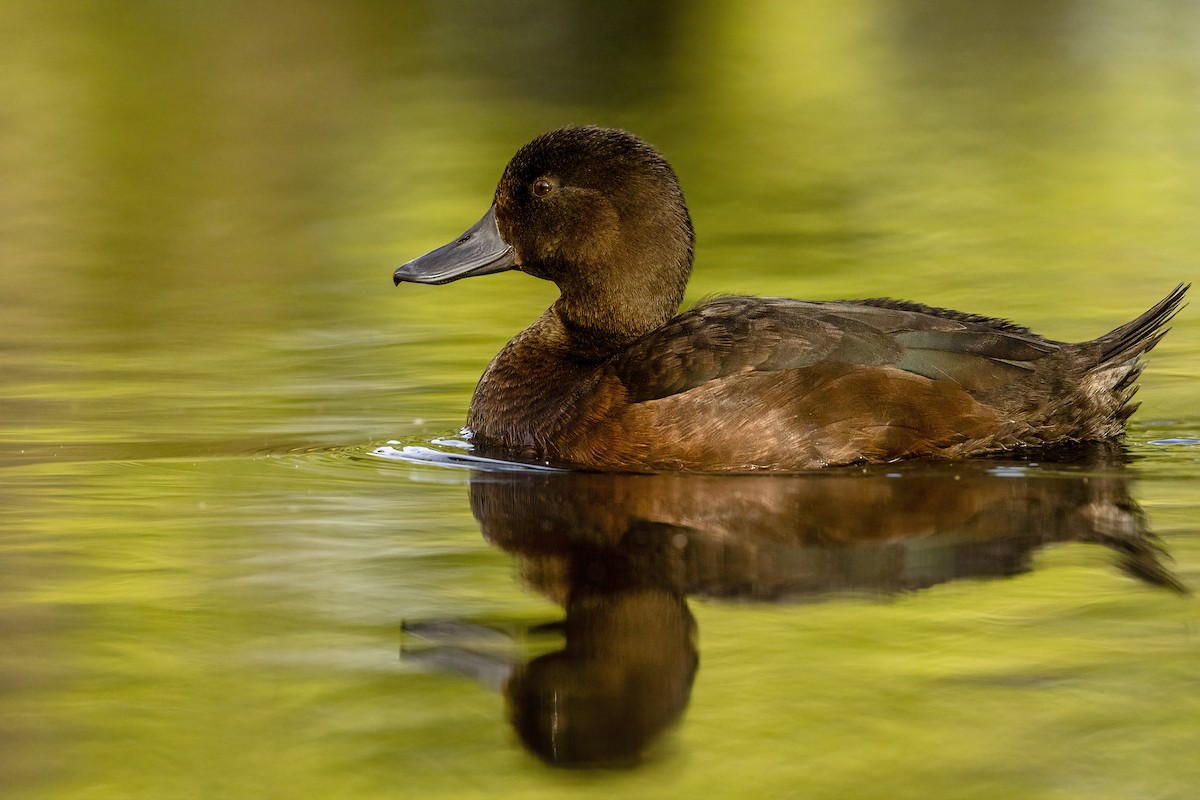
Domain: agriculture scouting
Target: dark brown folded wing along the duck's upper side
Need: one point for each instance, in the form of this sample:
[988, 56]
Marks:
[730, 335]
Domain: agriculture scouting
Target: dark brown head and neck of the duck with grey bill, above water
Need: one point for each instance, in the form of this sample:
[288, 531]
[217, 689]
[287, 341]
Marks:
[596, 210]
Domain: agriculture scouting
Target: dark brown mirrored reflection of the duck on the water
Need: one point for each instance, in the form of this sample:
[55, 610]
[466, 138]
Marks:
[622, 552]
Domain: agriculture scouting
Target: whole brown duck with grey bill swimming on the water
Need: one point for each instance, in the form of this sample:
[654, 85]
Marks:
[614, 377]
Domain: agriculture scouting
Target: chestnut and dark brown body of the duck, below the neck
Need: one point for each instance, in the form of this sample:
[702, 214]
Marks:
[770, 383]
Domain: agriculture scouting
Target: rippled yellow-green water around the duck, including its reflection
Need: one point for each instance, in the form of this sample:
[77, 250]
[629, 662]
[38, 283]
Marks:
[212, 585]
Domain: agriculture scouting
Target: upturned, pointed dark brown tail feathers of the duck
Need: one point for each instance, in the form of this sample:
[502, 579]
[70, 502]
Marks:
[1118, 354]
